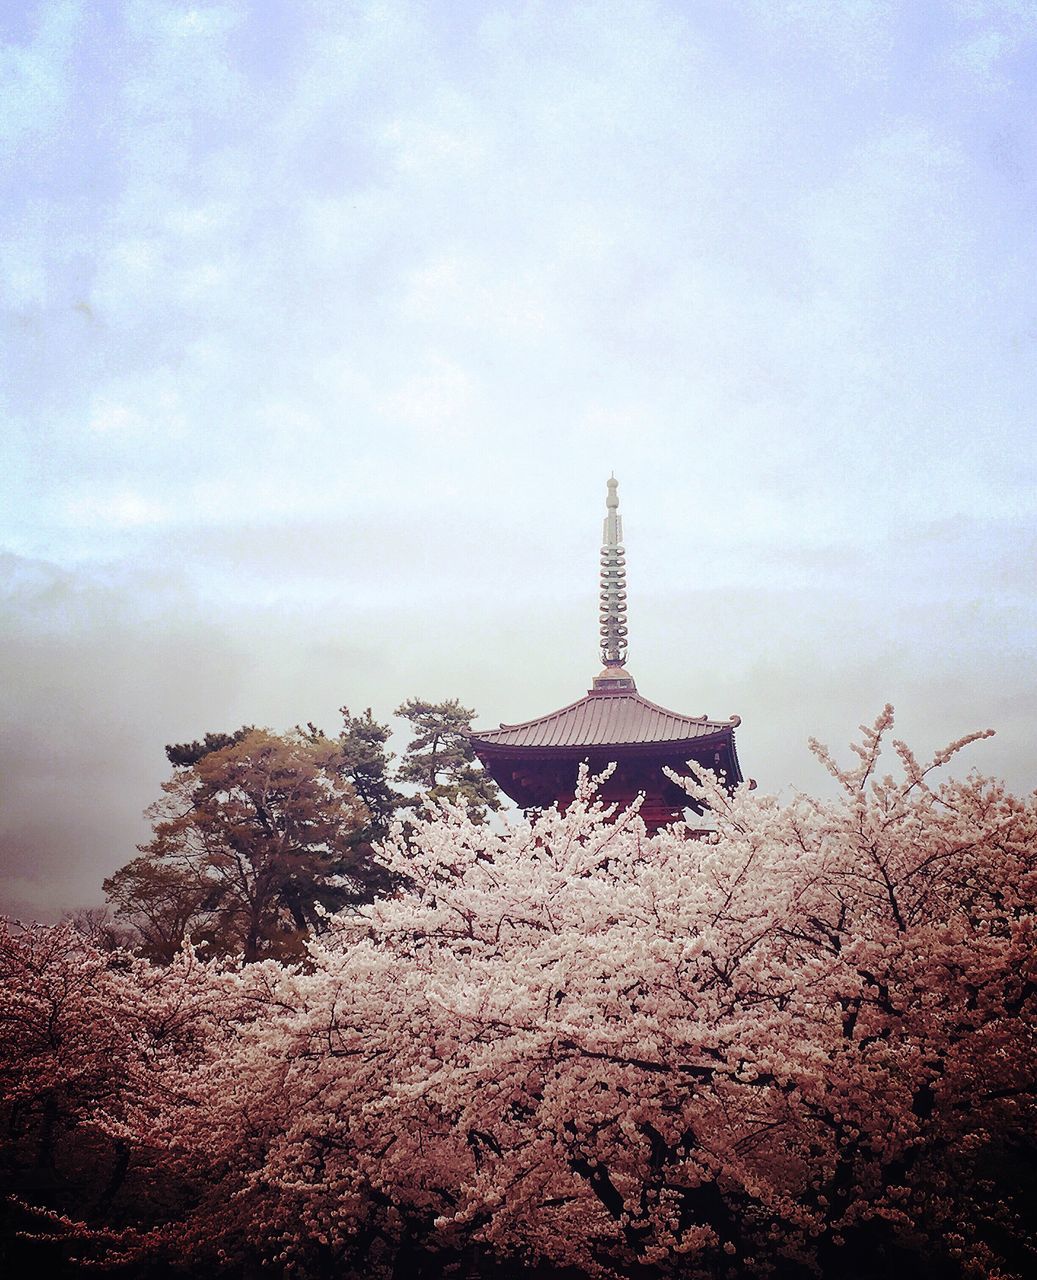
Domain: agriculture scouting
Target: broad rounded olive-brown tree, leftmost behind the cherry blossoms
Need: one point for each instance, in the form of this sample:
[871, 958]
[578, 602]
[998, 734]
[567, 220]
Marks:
[253, 840]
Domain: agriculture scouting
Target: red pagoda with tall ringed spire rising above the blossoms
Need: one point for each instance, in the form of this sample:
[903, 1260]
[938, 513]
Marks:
[537, 764]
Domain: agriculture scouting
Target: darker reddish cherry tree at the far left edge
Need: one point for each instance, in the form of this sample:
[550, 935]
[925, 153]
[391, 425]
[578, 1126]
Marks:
[86, 1037]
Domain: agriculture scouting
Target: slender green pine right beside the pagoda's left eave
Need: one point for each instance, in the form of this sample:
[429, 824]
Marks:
[440, 760]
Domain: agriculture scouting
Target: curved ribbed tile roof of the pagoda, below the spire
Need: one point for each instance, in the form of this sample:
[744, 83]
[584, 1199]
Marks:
[605, 720]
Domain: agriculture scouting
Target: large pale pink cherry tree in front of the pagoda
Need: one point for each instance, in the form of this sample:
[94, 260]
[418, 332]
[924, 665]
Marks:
[801, 1045]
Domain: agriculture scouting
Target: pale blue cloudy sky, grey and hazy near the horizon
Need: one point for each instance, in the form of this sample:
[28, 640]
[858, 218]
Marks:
[326, 323]
